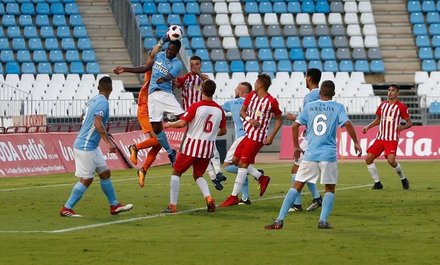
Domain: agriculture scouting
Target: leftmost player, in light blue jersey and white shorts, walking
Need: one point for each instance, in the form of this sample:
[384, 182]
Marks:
[89, 158]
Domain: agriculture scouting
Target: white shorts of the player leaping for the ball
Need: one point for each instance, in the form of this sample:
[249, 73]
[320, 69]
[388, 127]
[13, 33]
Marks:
[160, 102]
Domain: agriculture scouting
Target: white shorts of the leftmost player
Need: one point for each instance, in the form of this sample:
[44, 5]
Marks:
[89, 162]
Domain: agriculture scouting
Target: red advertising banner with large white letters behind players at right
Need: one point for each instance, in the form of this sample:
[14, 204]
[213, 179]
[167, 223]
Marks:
[418, 142]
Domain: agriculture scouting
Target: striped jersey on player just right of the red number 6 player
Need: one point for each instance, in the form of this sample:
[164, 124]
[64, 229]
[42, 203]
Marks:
[262, 110]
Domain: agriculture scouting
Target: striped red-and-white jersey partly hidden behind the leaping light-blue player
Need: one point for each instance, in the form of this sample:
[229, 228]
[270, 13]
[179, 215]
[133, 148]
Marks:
[191, 85]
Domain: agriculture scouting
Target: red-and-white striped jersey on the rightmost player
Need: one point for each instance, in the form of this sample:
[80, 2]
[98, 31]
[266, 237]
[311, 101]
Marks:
[390, 116]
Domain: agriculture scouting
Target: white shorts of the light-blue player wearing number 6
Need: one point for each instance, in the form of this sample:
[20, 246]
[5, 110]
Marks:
[310, 171]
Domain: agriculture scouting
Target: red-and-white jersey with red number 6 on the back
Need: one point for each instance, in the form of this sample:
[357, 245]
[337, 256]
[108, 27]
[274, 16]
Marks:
[204, 119]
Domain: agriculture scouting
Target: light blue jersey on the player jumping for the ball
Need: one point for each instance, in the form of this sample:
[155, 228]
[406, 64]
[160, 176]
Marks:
[161, 67]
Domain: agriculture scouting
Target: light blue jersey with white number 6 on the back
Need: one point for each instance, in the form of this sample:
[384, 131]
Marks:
[322, 119]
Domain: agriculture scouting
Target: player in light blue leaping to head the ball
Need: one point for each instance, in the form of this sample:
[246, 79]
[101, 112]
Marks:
[164, 66]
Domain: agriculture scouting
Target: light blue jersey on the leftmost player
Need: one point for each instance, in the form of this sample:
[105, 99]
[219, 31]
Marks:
[88, 138]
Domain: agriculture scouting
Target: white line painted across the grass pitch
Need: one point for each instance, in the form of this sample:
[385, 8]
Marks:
[77, 228]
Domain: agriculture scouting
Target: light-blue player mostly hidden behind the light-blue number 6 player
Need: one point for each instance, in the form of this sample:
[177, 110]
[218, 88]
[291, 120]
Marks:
[313, 77]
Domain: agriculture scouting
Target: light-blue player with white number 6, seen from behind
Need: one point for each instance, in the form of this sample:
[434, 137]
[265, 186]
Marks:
[322, 117]
